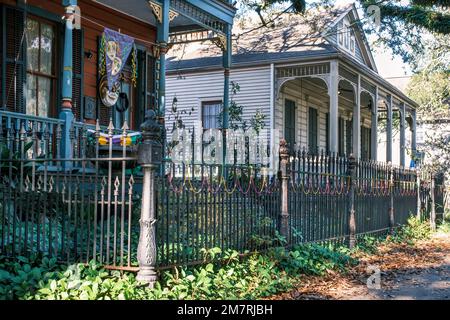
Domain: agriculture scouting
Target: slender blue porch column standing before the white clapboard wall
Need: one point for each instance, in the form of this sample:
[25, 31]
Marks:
[227, 56]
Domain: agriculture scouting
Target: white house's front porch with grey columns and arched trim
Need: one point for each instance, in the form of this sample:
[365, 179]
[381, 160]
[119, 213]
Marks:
[333, 107]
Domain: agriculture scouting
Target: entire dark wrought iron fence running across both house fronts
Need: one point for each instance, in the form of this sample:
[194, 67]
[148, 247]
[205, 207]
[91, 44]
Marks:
[88, 207]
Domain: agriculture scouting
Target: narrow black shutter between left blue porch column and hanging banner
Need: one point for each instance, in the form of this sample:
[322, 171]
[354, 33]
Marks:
[77, 84]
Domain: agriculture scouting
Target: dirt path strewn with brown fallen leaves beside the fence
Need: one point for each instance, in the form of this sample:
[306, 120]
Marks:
[419, 272]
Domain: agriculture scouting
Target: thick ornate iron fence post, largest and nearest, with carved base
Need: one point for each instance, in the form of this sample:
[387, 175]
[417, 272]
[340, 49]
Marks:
[149, 157]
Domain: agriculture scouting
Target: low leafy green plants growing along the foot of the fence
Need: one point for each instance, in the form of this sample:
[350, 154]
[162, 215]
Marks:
[228, 275]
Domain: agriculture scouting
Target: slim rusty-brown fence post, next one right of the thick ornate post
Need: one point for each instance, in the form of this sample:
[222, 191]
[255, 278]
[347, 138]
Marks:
[284, 216]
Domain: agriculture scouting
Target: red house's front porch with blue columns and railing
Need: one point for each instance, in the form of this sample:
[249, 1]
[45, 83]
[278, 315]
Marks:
[73, 103]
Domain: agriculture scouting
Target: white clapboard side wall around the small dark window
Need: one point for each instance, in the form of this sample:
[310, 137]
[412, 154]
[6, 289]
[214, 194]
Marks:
[191, 89]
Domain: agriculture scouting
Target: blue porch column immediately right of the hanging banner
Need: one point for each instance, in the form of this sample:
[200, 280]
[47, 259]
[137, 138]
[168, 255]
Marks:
[163, 39]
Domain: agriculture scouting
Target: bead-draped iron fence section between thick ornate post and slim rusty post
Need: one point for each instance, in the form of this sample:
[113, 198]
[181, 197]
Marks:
[230, 207]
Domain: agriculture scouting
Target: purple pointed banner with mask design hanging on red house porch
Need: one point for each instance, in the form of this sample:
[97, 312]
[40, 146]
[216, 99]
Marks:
[117, 50]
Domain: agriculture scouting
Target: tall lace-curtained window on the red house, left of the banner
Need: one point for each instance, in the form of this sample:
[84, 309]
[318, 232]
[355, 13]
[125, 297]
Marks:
[41, 67]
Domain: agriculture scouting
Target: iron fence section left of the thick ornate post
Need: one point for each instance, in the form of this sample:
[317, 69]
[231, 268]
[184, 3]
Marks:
[77, 209]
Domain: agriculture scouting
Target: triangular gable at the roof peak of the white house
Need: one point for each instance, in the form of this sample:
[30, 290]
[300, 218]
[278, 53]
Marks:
[354, 42]
